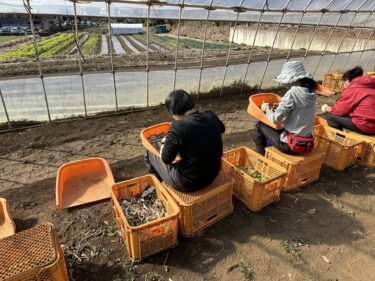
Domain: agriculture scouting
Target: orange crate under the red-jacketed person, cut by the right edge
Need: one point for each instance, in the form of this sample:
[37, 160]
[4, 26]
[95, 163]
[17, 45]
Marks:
[366, 155]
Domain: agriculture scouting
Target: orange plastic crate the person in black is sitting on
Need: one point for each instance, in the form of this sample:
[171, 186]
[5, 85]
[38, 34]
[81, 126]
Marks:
[204, 207]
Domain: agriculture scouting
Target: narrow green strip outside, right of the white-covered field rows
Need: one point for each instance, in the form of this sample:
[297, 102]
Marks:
[190, 43]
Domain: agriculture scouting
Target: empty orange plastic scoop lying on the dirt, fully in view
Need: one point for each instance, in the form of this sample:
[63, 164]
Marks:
[83, 181]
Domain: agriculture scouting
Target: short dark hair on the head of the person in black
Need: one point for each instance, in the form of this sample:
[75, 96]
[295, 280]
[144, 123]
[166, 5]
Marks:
[178, 102]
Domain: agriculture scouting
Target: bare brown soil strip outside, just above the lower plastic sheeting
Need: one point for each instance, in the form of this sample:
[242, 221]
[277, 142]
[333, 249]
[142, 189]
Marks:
[157, 60]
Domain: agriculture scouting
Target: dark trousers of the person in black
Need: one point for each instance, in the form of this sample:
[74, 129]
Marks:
[165, 173]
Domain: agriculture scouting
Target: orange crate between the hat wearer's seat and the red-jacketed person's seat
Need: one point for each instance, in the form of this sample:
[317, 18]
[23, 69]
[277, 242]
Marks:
[342, 149]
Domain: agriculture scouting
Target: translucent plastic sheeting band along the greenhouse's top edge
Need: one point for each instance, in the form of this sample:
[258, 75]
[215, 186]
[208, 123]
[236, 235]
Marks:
[196, 10]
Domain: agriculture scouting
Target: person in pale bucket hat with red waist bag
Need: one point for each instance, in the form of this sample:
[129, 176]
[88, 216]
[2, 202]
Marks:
[296, 110]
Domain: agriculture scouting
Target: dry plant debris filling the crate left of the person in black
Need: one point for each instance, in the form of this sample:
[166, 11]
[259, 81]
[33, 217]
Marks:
[144, 208]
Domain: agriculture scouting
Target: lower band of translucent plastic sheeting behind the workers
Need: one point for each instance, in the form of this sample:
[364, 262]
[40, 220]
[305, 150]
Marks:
[25, 100]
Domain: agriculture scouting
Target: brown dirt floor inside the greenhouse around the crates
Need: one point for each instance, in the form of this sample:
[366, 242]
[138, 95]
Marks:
[323, 232]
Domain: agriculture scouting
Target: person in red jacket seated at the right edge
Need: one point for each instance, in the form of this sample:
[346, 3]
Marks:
[355, 108]
